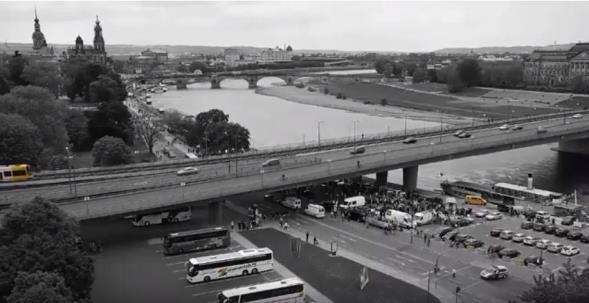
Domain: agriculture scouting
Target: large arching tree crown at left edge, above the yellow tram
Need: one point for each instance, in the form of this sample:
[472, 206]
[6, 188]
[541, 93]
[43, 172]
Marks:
[39, 106]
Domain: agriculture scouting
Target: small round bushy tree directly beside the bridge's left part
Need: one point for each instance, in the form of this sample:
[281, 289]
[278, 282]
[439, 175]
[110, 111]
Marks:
[109, 151]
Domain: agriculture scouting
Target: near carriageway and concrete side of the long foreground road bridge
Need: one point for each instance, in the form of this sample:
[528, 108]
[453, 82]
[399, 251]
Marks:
[334, 164]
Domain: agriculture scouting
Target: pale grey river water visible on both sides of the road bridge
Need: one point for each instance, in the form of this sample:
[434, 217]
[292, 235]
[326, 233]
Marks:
[274, 121]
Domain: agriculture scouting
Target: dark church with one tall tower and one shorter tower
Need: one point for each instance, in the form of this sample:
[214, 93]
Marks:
[94, 54]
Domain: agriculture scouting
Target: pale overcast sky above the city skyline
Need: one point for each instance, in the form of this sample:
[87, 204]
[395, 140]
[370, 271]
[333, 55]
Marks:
[378, 26]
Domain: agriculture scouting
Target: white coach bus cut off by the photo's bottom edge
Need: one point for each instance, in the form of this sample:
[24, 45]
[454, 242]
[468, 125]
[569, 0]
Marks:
[291, 290]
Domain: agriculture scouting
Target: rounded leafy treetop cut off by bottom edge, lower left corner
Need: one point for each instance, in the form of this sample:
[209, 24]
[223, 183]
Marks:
[39, 287]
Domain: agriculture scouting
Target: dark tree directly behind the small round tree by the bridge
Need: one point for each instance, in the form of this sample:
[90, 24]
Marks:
[111, 119]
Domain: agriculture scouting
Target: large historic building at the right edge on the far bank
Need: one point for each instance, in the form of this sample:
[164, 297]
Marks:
[557, 68]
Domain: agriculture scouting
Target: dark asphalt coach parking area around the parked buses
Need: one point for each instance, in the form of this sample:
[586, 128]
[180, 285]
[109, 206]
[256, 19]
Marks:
[132, 267]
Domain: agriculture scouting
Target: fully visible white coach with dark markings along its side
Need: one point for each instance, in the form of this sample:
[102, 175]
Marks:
[240, 263]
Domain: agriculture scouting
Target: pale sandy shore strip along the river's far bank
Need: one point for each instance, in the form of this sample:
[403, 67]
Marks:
[304, 96]
